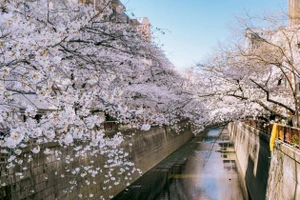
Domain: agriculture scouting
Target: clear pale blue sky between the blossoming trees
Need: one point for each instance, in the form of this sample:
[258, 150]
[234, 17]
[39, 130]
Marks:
[194, 27]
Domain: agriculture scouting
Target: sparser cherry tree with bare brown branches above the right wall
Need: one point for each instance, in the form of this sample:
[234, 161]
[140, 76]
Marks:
[256, 73]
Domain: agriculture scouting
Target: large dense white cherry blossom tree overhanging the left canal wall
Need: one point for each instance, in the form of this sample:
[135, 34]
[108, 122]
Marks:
[62, 65]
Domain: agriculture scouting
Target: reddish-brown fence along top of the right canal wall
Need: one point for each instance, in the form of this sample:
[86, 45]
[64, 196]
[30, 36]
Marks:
[287, 134]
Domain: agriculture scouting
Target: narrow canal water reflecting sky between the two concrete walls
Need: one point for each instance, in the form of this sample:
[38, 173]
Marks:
[205, 168]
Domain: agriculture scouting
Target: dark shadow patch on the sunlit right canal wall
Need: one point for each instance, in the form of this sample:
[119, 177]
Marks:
[257, 176]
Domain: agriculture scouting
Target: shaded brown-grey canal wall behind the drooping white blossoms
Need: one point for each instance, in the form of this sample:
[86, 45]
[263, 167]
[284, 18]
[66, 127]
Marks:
[43, 179]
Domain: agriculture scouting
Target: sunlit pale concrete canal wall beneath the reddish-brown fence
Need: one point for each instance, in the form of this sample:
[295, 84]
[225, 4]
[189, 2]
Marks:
[268, 175]
